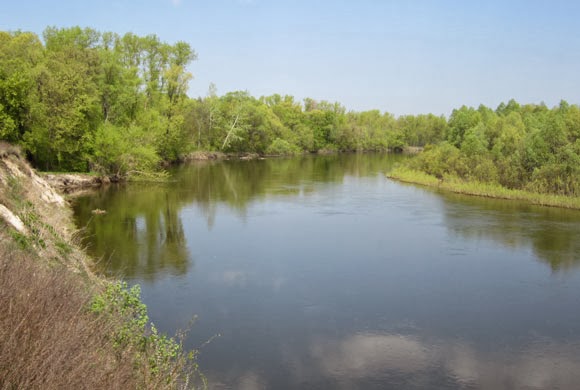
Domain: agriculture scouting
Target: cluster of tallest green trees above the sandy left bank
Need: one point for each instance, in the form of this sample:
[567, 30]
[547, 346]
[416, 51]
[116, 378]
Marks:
[86, 100]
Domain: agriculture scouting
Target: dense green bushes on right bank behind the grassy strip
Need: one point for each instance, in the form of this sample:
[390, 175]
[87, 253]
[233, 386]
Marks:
[526, 147]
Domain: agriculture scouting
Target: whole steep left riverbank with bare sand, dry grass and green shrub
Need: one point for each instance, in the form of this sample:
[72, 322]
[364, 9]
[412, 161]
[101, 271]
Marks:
[62, 326]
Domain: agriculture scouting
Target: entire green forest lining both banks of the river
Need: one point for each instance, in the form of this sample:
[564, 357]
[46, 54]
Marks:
[81, 100]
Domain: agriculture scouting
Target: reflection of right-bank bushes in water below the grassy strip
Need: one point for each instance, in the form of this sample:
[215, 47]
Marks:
[552, 233]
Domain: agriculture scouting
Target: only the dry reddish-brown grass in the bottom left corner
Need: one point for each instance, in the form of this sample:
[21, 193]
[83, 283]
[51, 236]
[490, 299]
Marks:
[48, 341]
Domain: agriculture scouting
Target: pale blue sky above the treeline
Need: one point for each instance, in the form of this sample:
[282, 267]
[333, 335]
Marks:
[403, 57]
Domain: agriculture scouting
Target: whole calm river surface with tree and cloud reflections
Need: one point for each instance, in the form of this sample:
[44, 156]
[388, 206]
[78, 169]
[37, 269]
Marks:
[321, 273]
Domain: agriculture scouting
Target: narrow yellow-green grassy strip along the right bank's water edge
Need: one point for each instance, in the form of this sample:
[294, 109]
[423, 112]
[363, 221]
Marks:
[487, 190]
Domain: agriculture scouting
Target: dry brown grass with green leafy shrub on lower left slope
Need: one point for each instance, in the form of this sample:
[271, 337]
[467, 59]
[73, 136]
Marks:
[50, 339]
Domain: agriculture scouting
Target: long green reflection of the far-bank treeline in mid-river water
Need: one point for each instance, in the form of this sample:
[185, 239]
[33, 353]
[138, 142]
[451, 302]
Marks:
[237, 183]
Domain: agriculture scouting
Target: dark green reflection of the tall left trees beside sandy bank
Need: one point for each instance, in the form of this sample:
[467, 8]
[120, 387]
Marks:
[141, 235]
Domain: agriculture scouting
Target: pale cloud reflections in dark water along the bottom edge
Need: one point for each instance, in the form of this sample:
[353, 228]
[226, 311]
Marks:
[371, 361]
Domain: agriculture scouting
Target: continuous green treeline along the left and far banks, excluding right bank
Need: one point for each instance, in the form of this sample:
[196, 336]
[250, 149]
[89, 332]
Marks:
[81, 100]
